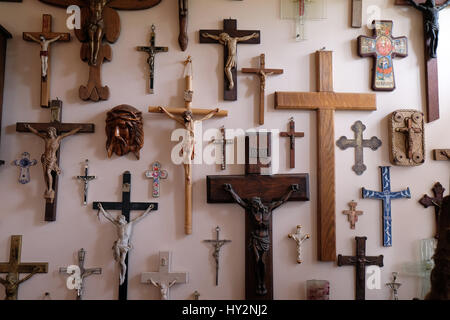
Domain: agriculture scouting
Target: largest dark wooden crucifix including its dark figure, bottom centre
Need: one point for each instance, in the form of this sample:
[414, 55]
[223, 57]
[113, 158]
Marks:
[259, 195]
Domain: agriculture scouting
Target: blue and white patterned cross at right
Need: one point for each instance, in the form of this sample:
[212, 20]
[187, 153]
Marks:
[386, 195]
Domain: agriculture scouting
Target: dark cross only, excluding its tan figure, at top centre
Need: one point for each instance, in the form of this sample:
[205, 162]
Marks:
[230, 28]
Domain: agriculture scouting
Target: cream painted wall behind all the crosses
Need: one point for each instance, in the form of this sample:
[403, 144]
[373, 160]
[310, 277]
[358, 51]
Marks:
[77, 226]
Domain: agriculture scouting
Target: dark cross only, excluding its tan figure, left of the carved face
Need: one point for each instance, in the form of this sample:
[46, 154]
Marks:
[61, 128]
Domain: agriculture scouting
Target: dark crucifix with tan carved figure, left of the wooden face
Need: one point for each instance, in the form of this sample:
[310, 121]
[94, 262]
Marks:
[52, 133]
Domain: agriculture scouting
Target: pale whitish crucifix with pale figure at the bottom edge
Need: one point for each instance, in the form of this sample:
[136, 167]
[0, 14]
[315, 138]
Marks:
[164, 279]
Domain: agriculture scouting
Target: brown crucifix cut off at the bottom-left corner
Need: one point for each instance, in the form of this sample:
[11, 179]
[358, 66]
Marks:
[14, 267]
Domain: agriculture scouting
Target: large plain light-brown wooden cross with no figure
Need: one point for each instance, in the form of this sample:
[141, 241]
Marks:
[325, 102]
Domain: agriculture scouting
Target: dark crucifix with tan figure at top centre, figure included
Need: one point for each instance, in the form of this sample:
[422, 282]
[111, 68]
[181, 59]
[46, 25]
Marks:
[230, 37]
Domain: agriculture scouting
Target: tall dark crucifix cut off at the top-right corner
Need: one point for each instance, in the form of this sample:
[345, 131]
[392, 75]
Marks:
[430, 11]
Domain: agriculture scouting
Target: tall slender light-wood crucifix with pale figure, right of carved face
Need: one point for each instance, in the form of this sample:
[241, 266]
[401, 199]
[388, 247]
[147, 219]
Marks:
[184, 116]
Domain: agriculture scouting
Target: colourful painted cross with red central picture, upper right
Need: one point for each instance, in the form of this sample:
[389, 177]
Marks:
[383, 47]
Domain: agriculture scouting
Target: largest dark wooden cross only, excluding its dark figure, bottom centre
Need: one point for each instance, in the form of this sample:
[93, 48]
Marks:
[268, 188]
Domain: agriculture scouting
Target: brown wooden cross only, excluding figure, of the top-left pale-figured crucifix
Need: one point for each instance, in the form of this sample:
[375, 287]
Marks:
[48, 34]
